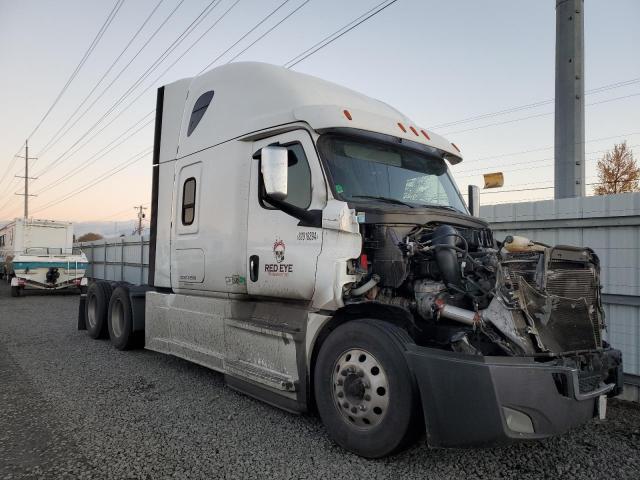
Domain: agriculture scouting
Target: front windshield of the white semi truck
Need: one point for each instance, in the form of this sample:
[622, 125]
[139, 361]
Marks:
[366, 171]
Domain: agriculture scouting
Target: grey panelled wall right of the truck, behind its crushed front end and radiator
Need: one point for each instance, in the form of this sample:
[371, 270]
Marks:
[610, 225]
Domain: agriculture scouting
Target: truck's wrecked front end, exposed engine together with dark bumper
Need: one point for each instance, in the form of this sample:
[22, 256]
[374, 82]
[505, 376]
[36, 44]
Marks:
[508, 335]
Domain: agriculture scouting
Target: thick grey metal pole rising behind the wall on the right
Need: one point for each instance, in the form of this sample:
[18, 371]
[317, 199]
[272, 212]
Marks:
[569, 169]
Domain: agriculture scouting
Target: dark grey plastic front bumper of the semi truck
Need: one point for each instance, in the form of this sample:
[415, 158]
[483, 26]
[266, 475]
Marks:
[466, 399]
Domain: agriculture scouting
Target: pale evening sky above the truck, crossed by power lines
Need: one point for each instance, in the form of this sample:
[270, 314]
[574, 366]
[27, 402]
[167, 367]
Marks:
[439, 62]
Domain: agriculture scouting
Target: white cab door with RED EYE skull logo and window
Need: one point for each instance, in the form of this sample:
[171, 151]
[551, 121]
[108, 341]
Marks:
[281, 254]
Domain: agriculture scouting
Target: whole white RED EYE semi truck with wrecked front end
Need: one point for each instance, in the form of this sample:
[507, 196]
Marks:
[309, 243]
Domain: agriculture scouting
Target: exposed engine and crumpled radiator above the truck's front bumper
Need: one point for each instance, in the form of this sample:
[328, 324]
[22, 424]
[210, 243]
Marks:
[468, 293]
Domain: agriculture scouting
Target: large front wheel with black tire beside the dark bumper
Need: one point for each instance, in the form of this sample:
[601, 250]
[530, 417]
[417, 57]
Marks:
[365, 393]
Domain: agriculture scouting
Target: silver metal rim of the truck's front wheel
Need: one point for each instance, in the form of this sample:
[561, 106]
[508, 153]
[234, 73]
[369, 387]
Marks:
[360, 388]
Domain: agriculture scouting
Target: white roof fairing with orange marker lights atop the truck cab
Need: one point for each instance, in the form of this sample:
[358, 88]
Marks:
[253, 96]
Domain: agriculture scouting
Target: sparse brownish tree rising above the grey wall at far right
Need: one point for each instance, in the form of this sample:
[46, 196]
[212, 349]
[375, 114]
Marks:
[617, 171]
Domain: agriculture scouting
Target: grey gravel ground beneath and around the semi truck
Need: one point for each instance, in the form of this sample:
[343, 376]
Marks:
[73, 407]
